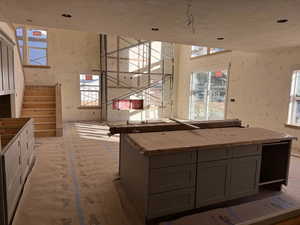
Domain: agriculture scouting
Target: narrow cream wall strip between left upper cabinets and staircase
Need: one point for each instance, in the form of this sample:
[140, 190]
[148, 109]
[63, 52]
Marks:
[17, 99]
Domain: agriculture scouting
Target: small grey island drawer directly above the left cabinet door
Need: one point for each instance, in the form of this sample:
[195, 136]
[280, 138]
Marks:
[212, 154]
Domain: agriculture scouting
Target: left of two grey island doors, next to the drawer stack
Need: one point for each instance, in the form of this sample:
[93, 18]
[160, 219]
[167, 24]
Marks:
[212, 182]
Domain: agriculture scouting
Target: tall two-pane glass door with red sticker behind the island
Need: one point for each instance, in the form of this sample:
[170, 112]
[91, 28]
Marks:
[208, 94]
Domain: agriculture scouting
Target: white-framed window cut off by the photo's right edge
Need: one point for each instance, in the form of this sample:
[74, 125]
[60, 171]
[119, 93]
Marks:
[294, 108]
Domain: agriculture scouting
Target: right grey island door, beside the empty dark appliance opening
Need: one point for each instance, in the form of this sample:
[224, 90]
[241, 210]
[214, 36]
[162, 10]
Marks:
[244, 176]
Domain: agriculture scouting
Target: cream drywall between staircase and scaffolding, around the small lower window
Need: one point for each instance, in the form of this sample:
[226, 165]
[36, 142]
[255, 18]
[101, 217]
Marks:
[70, 53]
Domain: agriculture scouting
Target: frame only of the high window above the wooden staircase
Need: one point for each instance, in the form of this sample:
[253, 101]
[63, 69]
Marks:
[25, 53]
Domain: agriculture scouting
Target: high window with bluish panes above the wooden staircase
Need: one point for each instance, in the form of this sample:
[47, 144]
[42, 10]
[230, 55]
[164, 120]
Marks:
[33, 46]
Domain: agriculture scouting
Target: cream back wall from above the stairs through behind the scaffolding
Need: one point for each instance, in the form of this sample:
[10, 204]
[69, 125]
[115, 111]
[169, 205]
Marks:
[71, 53]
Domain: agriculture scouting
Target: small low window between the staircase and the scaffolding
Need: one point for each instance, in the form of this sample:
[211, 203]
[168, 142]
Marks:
[89, 90]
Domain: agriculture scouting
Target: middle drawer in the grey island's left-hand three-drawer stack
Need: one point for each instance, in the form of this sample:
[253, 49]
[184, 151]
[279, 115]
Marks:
[172, 178]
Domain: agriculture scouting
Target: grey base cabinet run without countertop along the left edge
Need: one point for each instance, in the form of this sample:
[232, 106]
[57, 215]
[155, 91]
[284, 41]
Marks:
[16, 158]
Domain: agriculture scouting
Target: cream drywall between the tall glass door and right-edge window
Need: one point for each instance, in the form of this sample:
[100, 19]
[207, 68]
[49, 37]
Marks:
[260, 84]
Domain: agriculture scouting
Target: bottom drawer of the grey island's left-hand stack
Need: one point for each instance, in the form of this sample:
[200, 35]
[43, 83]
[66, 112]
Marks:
[171, 202]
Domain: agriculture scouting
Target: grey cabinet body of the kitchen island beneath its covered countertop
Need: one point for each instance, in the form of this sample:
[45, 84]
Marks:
[165, 184]
